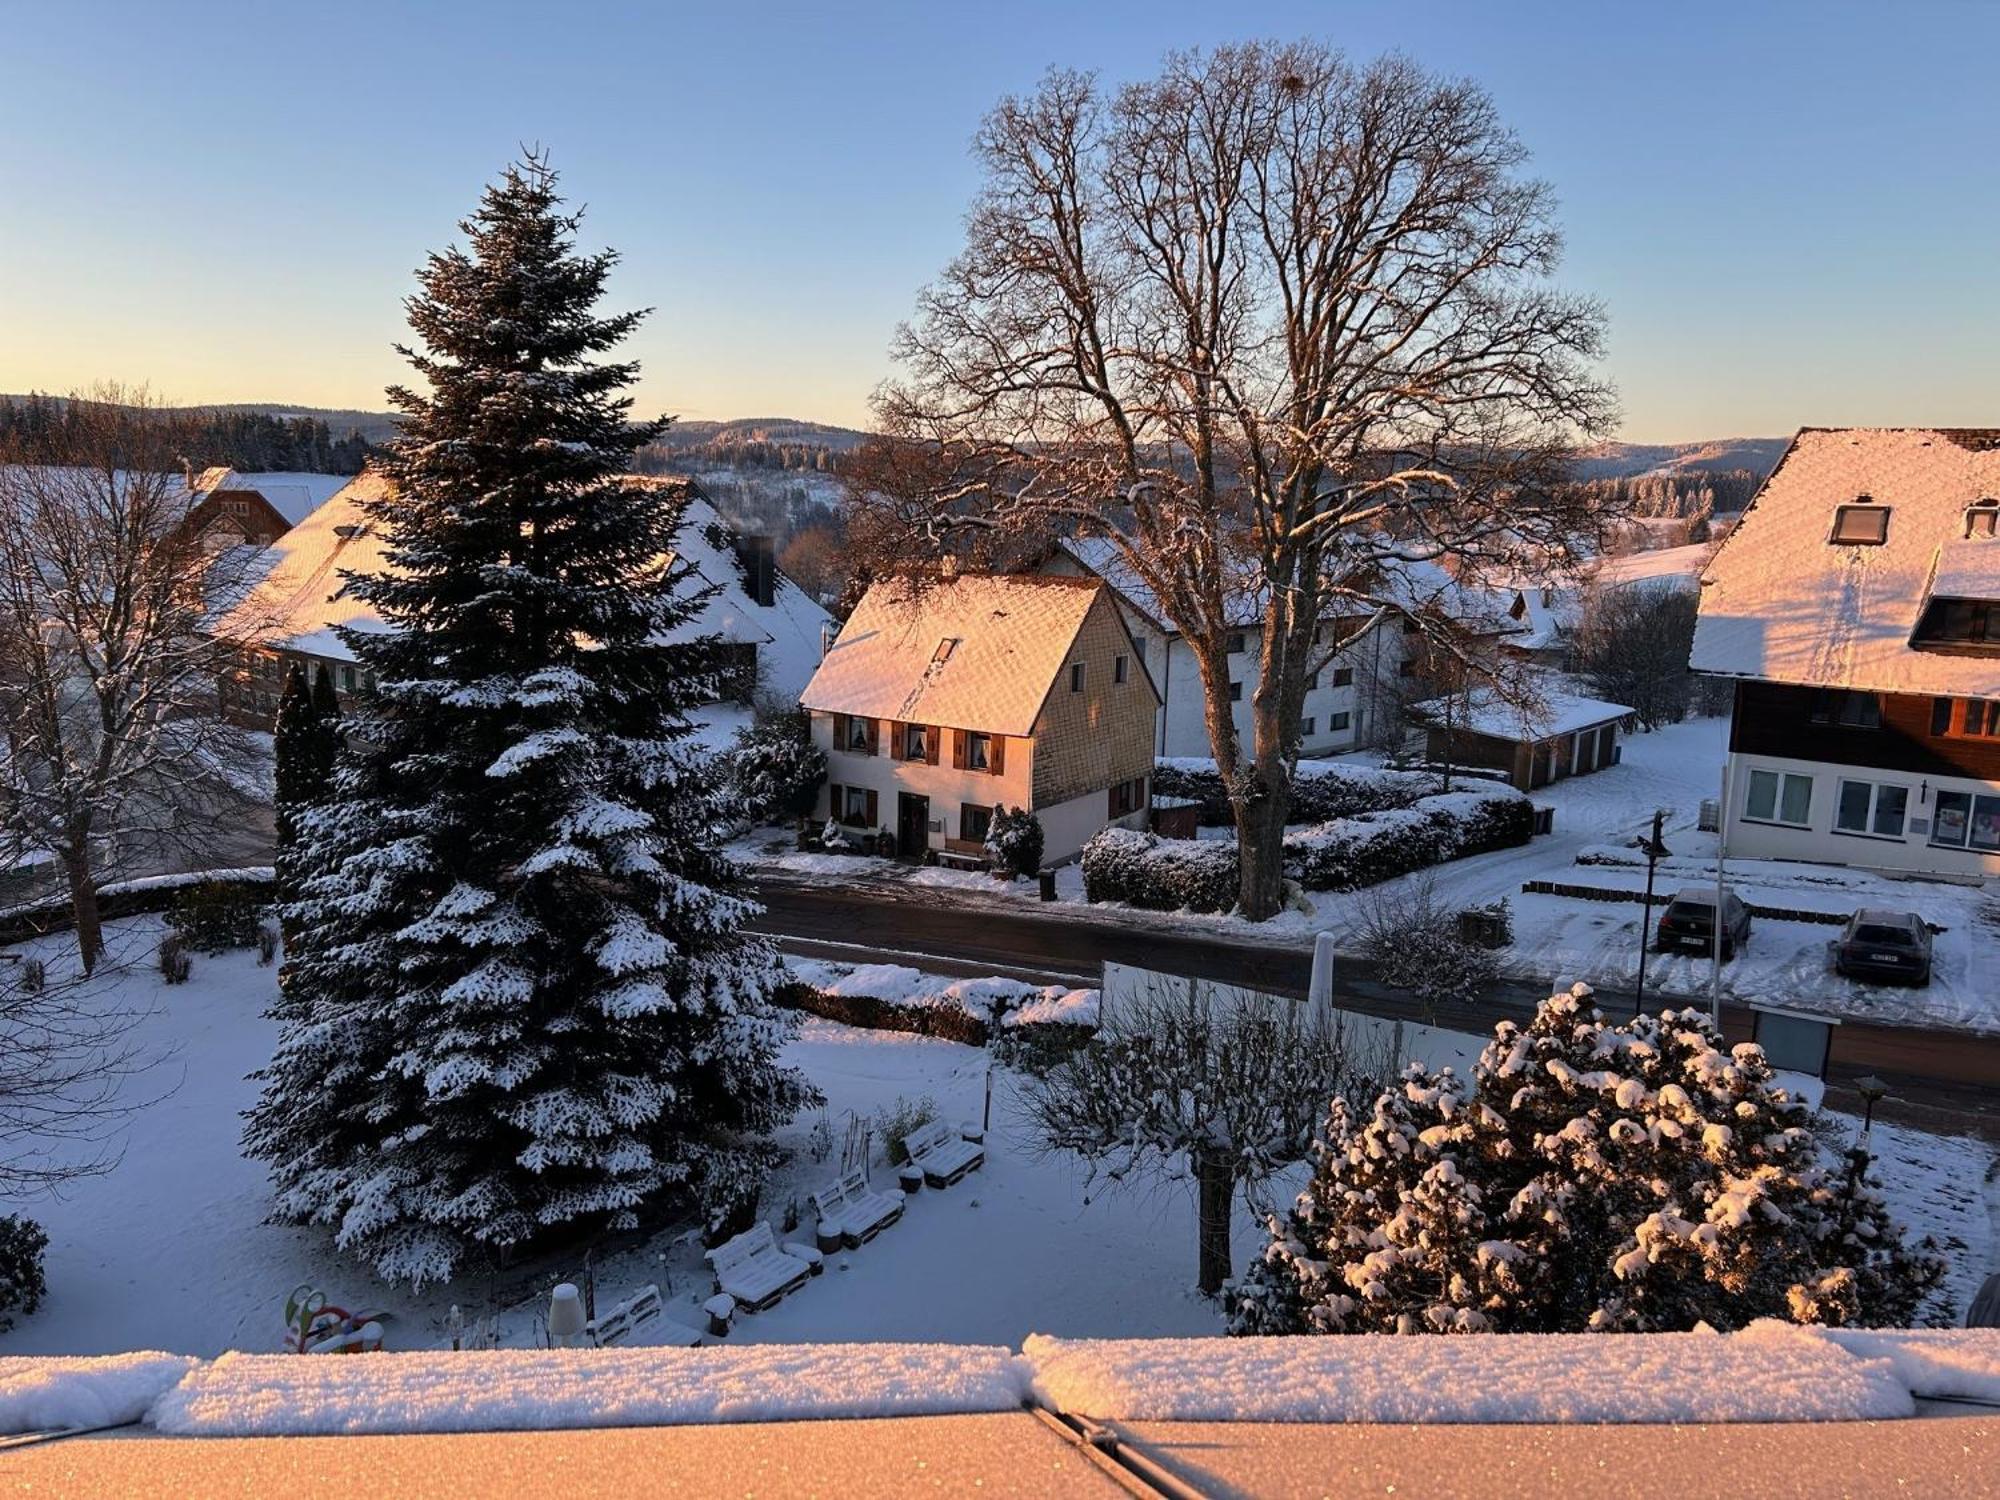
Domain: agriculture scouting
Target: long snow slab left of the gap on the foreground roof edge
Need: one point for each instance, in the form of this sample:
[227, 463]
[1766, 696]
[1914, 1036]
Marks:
[531, 1391]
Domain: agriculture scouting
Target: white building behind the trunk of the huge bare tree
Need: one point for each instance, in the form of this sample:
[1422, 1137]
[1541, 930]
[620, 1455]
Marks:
[1355, 701]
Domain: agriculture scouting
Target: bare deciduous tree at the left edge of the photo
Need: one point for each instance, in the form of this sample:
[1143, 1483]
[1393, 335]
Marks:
[111, 745]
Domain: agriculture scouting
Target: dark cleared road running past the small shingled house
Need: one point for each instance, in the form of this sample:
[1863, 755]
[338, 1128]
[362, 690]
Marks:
[1937, 1079]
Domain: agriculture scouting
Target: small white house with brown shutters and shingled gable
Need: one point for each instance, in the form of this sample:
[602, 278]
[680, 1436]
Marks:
[941, 703]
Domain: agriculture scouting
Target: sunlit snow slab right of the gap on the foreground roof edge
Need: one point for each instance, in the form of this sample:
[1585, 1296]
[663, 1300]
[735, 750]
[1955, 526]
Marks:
[1769, 1373]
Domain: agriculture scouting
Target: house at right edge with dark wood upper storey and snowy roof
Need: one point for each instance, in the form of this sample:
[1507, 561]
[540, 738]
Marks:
[1859, 609]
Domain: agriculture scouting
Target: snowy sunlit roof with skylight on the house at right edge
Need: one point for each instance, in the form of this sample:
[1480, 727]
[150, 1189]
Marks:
[1787, 605]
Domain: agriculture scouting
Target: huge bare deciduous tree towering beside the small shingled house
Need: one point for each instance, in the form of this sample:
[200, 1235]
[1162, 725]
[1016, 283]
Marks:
[1281, 329]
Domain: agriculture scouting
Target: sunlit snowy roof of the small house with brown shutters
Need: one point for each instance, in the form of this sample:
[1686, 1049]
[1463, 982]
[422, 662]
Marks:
[973, 653]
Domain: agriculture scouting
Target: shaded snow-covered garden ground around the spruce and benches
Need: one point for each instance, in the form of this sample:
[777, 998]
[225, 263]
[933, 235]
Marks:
[171, 1249]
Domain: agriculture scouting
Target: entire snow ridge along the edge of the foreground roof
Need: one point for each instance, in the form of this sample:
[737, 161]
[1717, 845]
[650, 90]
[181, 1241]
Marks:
[1769, 1373]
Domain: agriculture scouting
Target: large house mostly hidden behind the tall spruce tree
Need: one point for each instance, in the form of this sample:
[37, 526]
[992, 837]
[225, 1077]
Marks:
[299, 603]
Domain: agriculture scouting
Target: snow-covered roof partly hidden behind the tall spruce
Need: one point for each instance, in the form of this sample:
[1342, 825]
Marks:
[299, 601]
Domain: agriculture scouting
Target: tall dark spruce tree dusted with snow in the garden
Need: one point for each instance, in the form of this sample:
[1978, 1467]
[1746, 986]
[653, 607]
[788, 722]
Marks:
[525, 1005]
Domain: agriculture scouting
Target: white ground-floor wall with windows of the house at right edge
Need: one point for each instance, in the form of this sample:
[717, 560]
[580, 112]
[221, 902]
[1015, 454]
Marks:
[1819, 837]
